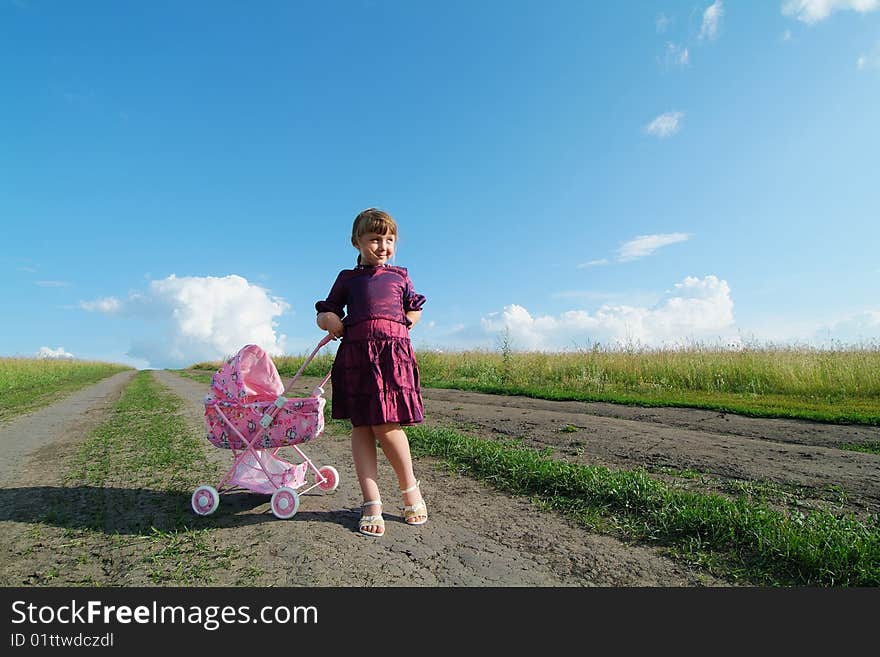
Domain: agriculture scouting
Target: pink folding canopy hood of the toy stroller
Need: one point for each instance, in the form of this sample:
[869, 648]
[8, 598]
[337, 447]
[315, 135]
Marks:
[249, 376]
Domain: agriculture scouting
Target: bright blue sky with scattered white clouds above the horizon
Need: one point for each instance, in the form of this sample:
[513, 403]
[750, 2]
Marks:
[179, 179]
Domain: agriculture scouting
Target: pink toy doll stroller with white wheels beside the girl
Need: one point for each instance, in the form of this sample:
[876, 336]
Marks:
[248, 413]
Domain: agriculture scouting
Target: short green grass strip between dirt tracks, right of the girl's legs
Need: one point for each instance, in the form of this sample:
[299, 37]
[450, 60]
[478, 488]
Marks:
[753, 541]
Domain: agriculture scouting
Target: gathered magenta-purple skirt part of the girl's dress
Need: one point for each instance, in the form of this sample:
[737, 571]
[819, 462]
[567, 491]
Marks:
[375, 376]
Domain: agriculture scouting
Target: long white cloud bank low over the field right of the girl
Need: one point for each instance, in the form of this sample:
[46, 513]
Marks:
[696, 310]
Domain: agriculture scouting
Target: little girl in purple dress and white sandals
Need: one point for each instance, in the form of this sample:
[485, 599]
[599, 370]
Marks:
[375, 376]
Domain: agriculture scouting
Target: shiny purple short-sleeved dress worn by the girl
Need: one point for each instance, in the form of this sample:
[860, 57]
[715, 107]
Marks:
[375, 376]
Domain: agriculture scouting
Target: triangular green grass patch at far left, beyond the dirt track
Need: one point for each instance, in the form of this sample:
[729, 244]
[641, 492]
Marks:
[29, 383]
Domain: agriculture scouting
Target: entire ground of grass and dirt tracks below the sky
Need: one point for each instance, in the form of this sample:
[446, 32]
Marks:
[608, 469]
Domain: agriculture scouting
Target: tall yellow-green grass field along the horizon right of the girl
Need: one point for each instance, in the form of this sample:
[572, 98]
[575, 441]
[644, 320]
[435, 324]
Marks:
[831, 385]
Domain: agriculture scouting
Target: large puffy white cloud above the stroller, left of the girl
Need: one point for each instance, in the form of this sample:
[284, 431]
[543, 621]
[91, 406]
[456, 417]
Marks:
[200, 318]
